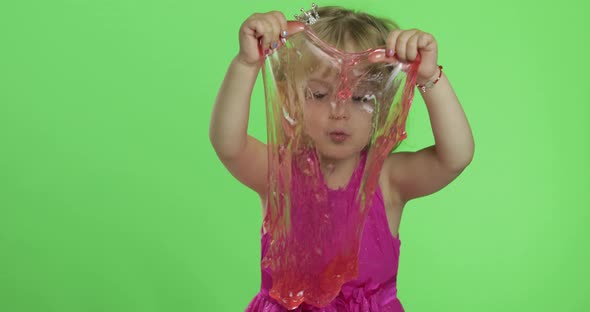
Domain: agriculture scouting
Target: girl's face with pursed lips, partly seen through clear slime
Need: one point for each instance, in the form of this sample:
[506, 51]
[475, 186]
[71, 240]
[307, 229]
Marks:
[338, 118]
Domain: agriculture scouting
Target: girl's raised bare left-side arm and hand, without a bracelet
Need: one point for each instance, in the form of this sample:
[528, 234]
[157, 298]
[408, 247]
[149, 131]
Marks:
[244, 156]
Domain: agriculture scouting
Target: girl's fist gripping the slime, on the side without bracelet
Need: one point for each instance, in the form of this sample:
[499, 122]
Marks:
[260, 33]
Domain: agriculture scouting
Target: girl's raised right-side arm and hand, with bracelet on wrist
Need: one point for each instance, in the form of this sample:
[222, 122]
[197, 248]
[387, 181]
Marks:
[416, 174]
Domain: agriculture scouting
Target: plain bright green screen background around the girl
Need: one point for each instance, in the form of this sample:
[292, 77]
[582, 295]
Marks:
[112, 198]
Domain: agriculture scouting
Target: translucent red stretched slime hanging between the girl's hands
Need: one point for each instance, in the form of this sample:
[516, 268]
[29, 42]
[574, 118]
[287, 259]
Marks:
[314, 239]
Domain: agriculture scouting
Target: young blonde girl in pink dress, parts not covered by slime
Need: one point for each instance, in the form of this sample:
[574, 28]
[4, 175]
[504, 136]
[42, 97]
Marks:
[403, 176]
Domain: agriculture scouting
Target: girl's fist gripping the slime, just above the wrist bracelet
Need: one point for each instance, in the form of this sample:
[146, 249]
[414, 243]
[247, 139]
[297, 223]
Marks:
[404, 45]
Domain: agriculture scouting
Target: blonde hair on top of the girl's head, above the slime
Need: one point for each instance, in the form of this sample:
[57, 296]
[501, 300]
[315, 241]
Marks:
[338, 25]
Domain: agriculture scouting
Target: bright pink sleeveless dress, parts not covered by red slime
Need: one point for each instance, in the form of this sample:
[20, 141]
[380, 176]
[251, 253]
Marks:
[374, 289]
